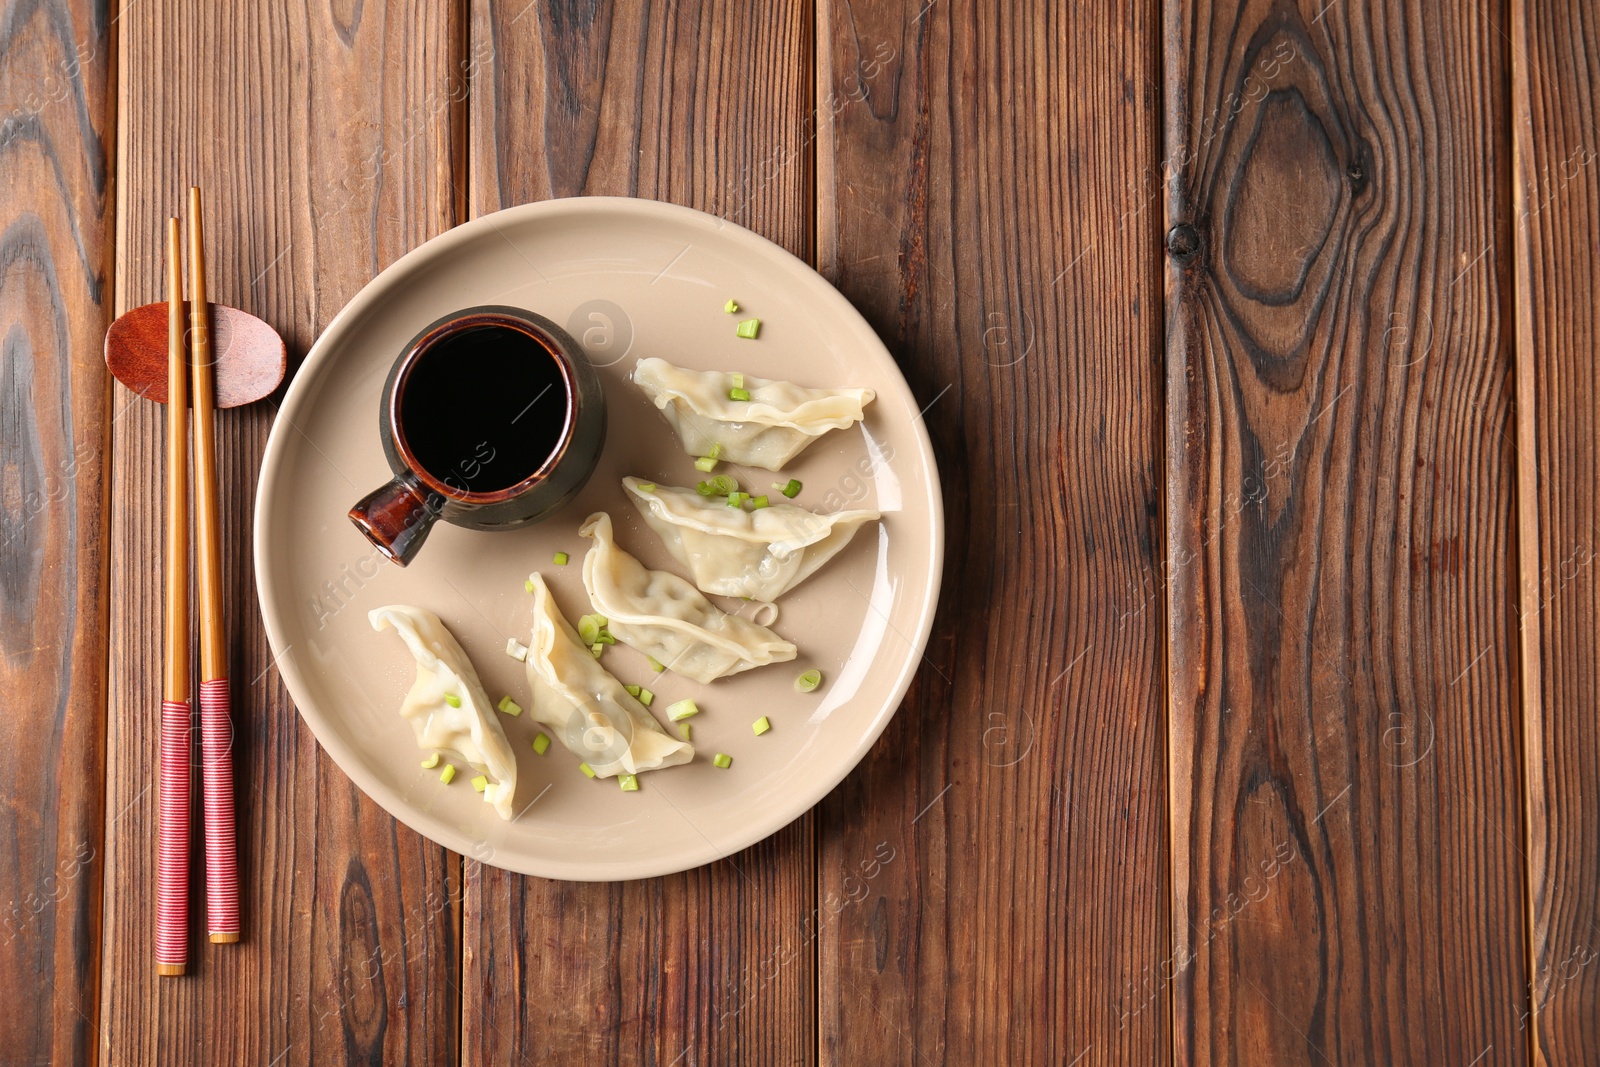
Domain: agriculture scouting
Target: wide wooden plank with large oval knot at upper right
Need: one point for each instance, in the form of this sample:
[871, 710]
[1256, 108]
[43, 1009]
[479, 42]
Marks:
[1345, 786]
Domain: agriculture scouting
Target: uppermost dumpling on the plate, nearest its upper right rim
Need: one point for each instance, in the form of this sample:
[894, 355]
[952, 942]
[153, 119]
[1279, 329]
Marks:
[767, 431]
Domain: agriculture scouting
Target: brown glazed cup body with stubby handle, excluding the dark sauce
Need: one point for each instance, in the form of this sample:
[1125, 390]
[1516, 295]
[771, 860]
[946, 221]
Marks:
[399, 516]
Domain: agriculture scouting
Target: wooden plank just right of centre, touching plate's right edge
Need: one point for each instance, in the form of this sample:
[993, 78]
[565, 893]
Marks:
[993, 877]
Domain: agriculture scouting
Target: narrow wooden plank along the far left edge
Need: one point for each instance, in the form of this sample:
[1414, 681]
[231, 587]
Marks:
[55, 303]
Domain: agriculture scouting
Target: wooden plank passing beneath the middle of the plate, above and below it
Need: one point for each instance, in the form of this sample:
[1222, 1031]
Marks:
[700, 105]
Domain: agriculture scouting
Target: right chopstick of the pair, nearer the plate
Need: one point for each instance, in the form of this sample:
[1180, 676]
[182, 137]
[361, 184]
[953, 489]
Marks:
[217, 727]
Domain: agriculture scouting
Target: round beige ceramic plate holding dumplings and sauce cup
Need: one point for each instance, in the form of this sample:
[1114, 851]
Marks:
[630, 279]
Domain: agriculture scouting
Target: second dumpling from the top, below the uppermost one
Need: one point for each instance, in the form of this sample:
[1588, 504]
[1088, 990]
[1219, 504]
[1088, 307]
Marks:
[732, 553]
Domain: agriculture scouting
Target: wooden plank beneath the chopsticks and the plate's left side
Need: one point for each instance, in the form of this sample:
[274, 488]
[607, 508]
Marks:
[350, 126]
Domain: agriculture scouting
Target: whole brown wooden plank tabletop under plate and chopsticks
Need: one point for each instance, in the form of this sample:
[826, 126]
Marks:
[1258, 350]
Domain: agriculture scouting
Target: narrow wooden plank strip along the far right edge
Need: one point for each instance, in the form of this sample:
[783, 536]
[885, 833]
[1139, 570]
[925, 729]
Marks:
[1556, 222]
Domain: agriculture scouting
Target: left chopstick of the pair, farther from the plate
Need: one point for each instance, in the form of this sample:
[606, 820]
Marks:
[172, 850]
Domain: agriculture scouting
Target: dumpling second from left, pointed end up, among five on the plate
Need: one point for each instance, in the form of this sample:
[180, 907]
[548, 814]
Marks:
[585, 706]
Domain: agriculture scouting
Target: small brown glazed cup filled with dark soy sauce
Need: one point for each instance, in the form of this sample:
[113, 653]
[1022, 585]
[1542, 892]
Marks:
[492, 420]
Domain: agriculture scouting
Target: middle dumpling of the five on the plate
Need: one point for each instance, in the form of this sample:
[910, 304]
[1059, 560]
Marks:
[663, 617]
